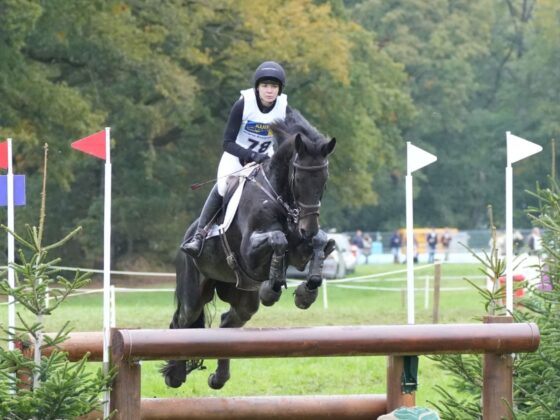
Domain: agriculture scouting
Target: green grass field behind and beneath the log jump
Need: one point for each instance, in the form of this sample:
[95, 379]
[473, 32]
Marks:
[327, 375]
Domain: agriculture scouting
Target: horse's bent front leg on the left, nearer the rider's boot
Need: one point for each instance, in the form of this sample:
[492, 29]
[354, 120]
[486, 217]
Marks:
[276, 240]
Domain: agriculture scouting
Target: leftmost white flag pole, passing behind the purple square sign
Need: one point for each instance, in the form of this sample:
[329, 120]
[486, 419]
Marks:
[11, 249]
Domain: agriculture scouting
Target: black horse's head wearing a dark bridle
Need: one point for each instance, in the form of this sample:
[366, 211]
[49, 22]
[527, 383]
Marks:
[309, 171]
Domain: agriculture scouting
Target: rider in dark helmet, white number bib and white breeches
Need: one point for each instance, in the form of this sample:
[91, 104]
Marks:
[247, 138]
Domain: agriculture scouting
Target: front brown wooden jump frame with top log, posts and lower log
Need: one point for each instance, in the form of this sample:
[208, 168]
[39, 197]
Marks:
[497, 341]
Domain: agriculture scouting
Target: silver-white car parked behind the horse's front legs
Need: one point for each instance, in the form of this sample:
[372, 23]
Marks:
[339, 262]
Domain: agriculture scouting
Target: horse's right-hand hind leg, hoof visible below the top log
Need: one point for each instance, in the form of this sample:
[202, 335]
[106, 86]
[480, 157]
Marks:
[243, 305]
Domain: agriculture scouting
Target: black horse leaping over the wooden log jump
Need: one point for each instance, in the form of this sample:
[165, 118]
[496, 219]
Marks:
[276, 224]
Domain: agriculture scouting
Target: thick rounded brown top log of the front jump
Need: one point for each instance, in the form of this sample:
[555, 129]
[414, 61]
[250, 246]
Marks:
[324, 341]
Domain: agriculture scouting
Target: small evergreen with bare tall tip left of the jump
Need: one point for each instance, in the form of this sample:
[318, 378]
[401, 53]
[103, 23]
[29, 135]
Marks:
[47, 387]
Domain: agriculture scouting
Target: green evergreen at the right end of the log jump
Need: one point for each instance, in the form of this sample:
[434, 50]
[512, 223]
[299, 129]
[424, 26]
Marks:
[536, 375]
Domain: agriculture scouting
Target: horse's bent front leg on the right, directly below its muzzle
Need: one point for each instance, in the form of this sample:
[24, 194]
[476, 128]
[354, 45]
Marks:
[306, 293]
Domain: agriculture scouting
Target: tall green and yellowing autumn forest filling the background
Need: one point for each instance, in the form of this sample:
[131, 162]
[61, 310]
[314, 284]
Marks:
[449, 75]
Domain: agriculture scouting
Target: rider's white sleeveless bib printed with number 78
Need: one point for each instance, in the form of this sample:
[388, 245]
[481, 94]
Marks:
[255, 133]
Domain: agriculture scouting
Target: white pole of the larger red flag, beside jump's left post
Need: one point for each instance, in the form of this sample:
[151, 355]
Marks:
[107, 267]
